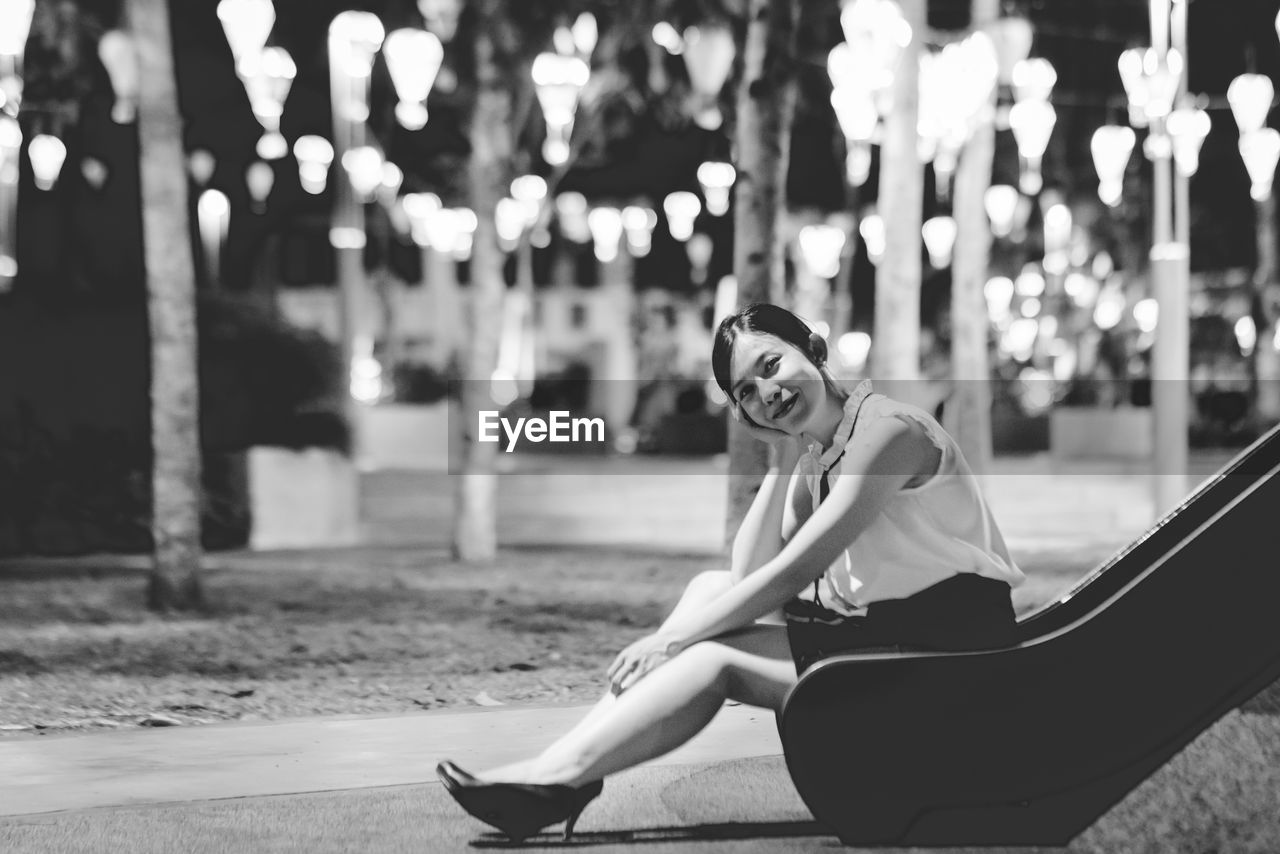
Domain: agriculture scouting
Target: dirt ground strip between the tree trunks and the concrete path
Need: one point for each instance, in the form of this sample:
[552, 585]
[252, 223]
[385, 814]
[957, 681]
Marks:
[358, 632]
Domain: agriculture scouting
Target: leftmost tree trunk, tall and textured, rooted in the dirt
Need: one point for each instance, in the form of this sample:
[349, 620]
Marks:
[172, 309]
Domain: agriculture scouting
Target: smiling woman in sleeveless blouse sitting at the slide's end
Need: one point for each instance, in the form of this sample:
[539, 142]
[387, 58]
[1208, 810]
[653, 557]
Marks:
[868, 532]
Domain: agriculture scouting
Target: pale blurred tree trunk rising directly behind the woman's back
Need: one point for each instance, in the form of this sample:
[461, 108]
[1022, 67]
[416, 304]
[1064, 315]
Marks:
[968, 410]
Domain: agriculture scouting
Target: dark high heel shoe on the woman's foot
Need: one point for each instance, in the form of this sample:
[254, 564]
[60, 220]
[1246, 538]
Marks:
[519, 810]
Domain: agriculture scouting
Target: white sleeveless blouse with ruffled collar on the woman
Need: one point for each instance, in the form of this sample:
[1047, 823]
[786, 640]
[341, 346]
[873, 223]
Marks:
[926, 535]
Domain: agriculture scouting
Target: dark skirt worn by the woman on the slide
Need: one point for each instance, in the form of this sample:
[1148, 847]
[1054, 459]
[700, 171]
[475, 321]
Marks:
[963, 613]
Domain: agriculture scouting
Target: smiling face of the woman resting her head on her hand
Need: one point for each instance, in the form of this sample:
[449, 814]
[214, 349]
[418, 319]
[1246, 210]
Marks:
[774, 383]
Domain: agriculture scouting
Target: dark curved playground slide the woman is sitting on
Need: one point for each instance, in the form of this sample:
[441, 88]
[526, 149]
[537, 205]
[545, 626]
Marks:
[1030, 746]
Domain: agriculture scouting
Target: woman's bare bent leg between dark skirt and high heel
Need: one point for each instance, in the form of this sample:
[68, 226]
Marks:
[668, 707]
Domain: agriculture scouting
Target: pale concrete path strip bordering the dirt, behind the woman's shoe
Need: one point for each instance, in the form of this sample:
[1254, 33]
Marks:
[49, 774]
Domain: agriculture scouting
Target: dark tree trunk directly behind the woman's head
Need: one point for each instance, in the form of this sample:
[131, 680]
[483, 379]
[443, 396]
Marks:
[766, 102]
